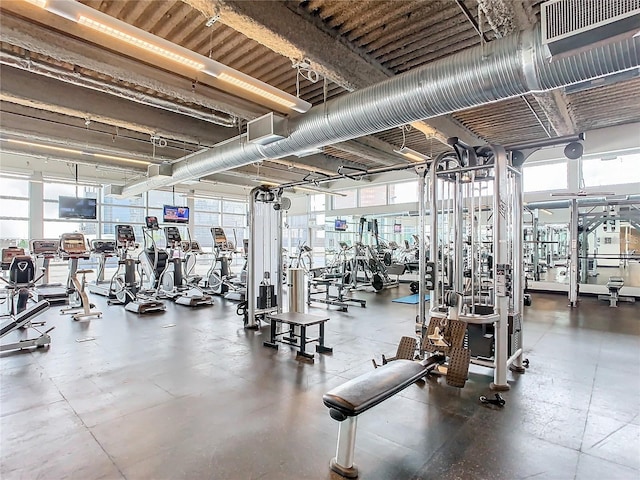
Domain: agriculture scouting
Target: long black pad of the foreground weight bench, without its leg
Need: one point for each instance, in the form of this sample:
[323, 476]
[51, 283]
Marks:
[368, 390]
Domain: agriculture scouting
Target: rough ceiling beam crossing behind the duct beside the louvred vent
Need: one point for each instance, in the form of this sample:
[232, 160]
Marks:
[506, 17]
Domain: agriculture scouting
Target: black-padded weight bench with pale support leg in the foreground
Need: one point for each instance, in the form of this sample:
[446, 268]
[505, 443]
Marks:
[360, 394]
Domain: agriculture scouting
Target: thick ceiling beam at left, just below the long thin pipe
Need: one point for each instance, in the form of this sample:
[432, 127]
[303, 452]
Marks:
[36, 91]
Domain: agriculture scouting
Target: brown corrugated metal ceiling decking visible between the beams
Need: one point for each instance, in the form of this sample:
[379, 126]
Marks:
[394, 36]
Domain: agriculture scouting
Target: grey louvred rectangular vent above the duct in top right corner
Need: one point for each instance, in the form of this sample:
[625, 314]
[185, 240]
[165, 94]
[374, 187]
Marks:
[573, 25]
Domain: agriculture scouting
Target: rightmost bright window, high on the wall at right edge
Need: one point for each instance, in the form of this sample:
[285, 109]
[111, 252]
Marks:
[620, 170]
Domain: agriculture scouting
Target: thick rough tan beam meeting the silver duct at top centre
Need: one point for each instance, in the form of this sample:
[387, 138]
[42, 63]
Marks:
[297, 35]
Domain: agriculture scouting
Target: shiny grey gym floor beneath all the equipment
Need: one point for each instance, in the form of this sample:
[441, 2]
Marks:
[190, 394]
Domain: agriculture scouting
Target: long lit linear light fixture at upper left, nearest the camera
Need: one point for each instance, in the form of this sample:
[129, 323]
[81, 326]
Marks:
[117, 29]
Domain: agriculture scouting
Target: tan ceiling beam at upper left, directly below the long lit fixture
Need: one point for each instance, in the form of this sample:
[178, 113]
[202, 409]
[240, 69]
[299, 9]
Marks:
[80, 54]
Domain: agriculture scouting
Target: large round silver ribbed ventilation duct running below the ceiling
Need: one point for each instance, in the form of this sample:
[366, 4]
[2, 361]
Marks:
[508, 67]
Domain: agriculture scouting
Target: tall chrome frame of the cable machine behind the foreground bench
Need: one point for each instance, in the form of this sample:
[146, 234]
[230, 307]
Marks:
[506, 304]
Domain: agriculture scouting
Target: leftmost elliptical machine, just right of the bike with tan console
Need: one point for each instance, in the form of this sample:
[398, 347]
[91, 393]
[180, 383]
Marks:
[123, 283]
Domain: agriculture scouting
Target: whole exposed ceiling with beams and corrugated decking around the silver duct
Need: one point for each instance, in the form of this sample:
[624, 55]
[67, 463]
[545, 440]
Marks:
[67, 87]
